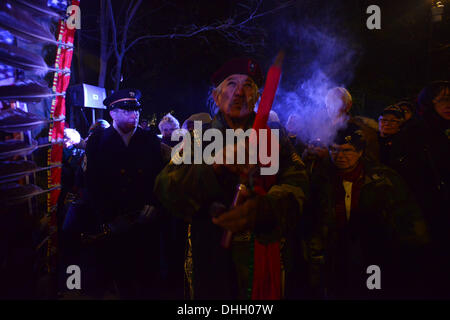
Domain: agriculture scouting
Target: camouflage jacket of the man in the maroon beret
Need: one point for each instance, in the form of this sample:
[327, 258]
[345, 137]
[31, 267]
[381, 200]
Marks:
[188, 190]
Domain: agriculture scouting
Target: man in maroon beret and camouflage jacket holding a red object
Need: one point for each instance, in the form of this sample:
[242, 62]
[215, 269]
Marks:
[195, 192]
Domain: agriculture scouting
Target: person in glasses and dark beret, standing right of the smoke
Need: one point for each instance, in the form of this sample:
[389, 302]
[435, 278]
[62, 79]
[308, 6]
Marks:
[365, 216]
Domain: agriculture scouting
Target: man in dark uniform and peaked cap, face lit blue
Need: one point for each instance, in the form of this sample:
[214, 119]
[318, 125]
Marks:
[122, 163]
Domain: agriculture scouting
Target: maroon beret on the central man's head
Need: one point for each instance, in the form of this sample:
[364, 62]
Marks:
[246, 66]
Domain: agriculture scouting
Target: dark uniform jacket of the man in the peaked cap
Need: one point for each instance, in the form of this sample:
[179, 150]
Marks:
[120, 178]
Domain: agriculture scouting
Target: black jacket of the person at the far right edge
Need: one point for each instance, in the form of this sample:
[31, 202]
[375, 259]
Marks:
[422, 157]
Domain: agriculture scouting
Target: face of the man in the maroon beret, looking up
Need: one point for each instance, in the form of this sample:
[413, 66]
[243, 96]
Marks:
[236, 96]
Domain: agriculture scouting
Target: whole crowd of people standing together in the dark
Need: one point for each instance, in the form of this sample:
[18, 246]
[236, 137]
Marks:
[375, 193]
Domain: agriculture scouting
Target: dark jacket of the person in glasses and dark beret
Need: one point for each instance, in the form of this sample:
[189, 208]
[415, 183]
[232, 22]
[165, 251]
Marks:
[386, 229]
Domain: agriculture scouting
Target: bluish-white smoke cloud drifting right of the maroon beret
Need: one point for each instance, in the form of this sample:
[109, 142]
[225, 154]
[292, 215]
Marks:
[325, 60]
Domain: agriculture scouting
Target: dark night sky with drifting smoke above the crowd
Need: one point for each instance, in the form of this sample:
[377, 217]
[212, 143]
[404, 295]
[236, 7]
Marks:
[379, 67]
